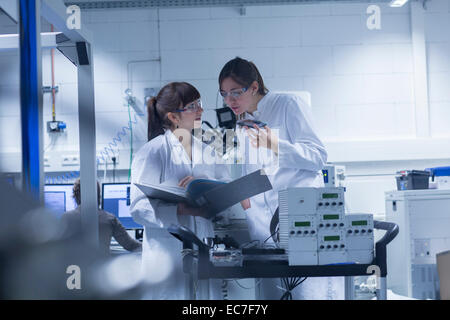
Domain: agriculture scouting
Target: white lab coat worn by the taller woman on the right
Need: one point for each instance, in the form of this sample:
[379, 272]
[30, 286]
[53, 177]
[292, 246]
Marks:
[301, 156]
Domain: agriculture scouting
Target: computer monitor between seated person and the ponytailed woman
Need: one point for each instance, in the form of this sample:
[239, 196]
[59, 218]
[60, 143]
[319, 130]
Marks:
[116, 200]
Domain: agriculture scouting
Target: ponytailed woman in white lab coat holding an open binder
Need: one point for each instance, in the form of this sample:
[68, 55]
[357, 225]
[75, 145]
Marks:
[167, 157]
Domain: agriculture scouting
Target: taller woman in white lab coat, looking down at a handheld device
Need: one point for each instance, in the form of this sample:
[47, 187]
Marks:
[287, 148]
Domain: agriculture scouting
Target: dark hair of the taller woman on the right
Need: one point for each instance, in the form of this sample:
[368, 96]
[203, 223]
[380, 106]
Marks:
[243, 72]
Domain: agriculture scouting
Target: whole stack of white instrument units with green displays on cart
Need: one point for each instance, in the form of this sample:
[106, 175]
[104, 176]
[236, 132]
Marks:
[314, 229]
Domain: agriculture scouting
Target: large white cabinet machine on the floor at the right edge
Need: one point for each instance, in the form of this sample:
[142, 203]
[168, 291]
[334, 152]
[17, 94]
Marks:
[423, 217]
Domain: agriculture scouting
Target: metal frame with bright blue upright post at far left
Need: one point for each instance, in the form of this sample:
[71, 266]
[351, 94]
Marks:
[30, 12]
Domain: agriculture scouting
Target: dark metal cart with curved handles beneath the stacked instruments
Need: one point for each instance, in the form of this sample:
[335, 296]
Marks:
[204, 269]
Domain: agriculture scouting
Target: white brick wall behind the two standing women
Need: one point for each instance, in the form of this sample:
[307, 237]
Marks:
[361, 81]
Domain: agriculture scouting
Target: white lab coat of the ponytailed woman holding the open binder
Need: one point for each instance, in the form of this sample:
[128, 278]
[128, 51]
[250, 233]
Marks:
[160, 160]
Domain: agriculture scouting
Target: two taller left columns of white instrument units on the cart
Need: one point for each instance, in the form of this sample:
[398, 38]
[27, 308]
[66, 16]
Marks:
[308, 217]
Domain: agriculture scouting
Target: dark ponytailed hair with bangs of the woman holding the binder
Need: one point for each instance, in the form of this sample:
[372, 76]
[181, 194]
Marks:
[169, 99]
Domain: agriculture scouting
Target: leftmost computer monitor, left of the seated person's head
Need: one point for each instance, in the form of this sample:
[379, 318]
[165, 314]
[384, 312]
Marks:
[59, 197]
